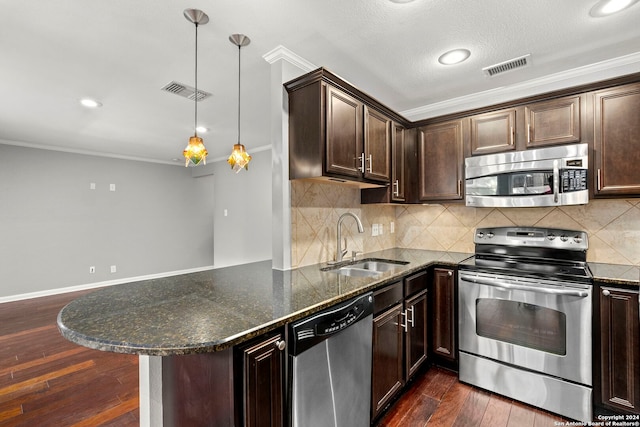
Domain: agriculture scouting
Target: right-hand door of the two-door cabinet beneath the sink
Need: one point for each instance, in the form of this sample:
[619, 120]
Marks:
[416, 335]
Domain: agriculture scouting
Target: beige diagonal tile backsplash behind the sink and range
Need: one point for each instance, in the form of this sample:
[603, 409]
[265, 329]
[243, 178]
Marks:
[613, 226]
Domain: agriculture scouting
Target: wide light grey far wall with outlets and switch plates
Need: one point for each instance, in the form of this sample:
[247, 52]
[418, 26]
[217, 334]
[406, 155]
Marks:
[53, 226]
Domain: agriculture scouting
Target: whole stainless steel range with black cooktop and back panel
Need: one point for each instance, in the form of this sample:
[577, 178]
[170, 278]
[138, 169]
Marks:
[525, 310]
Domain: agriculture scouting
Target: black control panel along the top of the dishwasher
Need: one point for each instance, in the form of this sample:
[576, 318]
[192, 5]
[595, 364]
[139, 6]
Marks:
[314, 329]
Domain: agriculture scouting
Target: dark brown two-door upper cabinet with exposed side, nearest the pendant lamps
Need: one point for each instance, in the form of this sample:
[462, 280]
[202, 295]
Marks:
[337, 133]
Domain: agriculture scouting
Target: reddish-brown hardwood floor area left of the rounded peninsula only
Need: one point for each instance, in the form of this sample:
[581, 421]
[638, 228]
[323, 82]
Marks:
[46, 380]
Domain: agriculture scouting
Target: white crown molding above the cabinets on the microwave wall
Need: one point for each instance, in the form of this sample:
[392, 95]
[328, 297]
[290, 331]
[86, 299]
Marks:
[598, 71]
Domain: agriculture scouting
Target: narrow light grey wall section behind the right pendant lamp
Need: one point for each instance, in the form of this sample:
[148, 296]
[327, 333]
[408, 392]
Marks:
[244, 234]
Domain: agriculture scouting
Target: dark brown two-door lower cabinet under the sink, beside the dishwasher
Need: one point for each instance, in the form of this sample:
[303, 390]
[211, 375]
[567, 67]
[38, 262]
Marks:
[400, 344]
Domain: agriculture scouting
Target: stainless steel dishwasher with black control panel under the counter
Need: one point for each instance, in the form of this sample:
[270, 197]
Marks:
[330, 355]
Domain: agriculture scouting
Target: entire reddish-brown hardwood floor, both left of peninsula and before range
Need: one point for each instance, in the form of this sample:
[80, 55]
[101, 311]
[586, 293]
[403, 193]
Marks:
[46, 380]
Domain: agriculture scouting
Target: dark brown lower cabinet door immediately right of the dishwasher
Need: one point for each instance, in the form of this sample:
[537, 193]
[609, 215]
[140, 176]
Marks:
[387, 377]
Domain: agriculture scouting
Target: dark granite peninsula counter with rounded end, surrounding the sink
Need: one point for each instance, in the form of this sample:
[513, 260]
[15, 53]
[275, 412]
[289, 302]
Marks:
[216, 309]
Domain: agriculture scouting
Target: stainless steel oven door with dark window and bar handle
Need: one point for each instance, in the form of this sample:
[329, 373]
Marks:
[540, 325]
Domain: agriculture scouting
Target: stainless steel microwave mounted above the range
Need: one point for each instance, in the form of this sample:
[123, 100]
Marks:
[553, 176]
